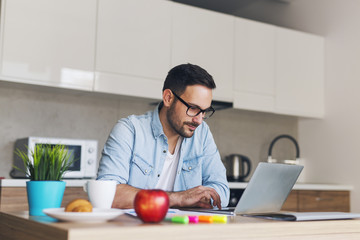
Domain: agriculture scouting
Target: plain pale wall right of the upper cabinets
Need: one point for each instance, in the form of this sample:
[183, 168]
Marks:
[331, 146]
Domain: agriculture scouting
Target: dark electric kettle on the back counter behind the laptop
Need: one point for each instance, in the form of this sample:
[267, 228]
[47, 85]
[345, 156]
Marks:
[238, 167]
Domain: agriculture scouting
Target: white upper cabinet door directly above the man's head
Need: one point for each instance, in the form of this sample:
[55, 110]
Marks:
[205, 38]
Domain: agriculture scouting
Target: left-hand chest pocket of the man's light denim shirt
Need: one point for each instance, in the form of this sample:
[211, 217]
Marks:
[140, 171]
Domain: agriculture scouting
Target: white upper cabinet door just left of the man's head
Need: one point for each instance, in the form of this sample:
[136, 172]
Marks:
[133, 47]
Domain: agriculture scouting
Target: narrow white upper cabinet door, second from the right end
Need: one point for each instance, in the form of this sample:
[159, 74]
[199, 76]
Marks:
[254, 82]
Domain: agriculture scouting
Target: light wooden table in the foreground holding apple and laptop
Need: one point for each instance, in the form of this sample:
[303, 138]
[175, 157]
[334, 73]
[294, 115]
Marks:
[18, 225]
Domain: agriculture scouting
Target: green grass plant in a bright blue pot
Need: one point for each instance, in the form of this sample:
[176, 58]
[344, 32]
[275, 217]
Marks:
[45, 166]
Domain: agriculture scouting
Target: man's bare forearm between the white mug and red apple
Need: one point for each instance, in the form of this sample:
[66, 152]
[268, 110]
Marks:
[124, 196]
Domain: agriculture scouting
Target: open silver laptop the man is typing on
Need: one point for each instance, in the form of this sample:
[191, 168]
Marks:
[266, 191]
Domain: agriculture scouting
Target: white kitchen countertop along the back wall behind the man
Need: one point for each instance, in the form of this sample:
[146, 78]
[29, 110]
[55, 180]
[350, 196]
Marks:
[233, 185]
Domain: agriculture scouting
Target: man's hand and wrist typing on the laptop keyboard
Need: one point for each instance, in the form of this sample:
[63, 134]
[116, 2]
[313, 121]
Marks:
[199, 196]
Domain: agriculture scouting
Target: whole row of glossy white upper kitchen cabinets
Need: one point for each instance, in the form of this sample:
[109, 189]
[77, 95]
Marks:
[126, 47]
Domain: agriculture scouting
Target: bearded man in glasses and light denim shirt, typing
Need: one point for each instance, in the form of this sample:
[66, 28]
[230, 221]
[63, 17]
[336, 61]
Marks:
[170, 148]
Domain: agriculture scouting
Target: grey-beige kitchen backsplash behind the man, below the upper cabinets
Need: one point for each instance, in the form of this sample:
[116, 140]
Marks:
[41, 111]
